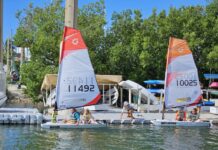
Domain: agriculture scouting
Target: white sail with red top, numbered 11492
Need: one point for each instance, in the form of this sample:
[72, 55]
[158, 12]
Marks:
[76, 85]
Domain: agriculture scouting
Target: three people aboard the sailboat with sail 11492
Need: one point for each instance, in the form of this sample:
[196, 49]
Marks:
[74, 117]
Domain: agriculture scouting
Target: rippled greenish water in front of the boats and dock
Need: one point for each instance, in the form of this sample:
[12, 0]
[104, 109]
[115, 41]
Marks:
[134, 137]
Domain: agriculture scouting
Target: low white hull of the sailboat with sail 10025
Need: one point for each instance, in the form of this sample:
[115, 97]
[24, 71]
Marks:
[180, 123]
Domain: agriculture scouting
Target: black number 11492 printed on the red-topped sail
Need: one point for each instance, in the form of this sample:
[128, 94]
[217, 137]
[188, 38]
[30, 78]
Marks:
[81, 88]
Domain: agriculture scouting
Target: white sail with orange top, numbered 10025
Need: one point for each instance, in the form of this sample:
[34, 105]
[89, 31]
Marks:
[182, 86]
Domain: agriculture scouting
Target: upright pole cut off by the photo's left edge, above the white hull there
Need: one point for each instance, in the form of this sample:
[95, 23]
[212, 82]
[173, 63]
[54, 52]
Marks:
[1, 30]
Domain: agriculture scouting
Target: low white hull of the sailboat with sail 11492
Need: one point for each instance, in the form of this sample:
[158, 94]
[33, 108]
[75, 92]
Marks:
[50, 125]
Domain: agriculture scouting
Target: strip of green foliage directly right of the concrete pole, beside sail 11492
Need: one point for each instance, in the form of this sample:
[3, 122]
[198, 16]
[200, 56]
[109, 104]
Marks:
[91, 22]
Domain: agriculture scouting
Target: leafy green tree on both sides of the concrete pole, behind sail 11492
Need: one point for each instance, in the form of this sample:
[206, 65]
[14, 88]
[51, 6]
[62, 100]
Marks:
[41, 30]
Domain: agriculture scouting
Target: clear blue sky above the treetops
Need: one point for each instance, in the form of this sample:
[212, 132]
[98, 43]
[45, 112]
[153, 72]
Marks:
[10, 23]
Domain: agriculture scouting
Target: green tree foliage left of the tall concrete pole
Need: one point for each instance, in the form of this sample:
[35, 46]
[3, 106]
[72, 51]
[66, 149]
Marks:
[41, 30]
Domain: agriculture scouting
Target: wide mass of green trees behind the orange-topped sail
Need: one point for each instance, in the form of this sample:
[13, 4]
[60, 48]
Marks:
[138, 46]
